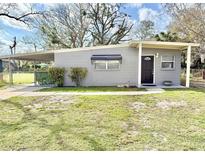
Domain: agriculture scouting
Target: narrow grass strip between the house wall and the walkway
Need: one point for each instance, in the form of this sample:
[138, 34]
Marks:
[89, 89]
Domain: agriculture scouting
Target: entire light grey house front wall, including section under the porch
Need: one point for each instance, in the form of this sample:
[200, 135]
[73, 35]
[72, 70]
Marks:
[128, 68]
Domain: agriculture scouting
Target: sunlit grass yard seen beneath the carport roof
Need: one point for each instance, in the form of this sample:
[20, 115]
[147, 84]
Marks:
[20, 78]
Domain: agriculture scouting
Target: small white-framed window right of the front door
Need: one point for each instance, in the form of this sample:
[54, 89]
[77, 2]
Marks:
[167, 62]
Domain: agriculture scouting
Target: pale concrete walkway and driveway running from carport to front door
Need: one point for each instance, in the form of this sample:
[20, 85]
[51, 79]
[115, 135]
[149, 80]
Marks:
[28, 90]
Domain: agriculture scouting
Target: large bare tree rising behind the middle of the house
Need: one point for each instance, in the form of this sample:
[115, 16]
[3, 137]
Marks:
[109, 25]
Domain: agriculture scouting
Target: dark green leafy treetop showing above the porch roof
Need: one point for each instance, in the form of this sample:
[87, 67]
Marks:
[167, 36]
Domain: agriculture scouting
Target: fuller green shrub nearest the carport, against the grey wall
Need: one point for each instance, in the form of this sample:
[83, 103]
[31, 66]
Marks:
[57, 75]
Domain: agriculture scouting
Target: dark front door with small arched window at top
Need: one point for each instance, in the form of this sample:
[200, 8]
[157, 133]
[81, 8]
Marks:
[147, 69]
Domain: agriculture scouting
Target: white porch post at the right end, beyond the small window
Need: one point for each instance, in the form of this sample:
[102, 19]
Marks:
[188, 64]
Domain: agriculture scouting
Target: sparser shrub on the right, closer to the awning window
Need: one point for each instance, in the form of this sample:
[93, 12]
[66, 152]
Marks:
[77, 74]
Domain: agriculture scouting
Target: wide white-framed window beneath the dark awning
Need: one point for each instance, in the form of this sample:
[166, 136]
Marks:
[107, 65]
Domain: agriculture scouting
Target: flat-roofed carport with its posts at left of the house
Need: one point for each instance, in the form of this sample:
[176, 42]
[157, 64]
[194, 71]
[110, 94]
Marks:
[34, 57]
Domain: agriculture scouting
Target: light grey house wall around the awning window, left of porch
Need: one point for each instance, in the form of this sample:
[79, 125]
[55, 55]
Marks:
[126, 74]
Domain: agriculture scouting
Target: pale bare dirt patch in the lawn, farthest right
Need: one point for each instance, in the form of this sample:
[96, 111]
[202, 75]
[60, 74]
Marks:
[168, 105]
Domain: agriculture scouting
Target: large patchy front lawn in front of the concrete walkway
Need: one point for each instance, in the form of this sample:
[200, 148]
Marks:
[174, 120]
